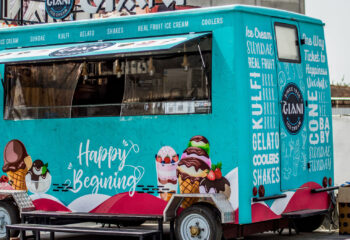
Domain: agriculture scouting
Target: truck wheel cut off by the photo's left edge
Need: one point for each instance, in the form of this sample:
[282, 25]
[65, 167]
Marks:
[8, 215]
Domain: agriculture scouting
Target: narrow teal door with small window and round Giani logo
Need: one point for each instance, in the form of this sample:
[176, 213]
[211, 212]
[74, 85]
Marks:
[292, 98]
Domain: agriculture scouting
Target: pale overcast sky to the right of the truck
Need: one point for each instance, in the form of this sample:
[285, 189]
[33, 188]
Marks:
[336, 15]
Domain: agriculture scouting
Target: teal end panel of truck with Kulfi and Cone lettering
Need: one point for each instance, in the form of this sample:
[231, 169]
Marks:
[269, 79]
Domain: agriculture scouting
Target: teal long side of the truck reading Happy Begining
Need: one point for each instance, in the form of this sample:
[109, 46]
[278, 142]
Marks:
[108, 164]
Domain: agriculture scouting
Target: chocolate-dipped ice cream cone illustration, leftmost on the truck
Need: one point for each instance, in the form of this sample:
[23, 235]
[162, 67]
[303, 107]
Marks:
[16, 164]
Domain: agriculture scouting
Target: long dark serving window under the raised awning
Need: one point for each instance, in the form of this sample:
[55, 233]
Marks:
[173, 81]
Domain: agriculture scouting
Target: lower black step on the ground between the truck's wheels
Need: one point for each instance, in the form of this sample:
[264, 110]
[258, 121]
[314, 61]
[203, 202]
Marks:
[122, 232]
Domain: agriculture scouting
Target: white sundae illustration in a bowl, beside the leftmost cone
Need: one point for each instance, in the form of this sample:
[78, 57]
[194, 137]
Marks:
[38, 178]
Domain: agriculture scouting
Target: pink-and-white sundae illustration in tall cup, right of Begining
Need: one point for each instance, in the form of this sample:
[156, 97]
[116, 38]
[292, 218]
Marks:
[166, 164]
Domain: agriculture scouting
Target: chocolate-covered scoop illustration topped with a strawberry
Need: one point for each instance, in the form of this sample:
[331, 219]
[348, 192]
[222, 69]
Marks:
[215, 182]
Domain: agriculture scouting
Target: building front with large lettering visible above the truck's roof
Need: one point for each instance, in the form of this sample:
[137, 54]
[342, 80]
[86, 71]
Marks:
[22, 12]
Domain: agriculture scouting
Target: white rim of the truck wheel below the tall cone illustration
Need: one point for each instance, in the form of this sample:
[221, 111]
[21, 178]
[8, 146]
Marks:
[195, 226]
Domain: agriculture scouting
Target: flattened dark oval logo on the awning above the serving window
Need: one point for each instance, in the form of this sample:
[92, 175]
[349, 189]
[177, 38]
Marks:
[80, 49]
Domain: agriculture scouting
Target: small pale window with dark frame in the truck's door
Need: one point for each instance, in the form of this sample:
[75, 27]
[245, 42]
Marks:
[287, 42]
